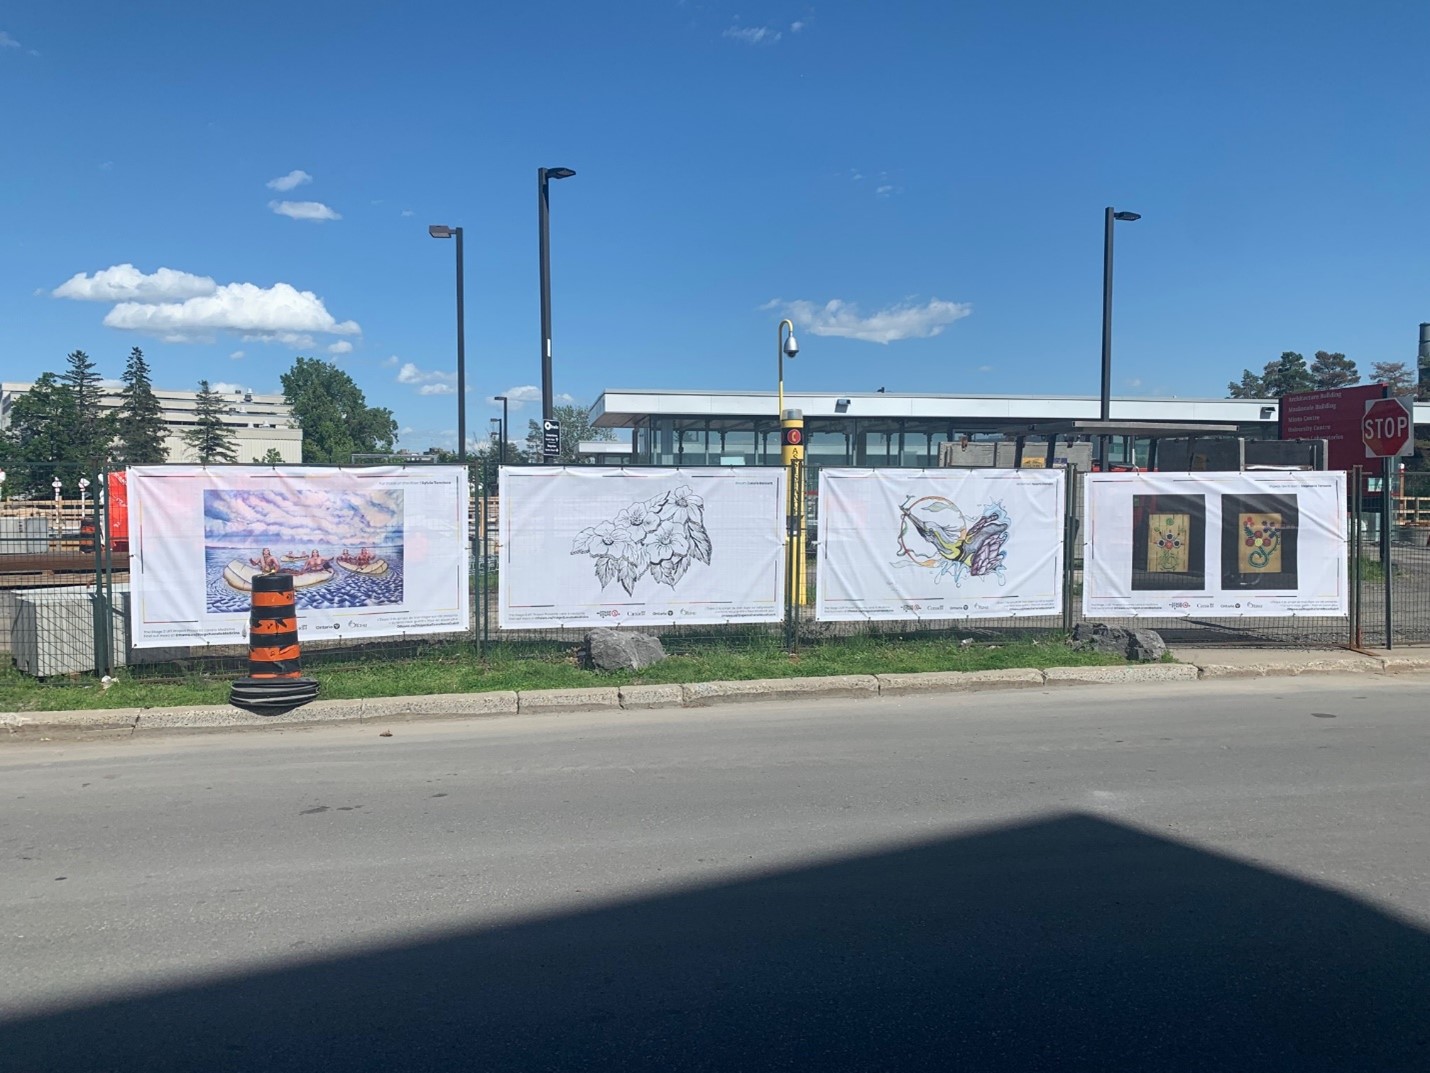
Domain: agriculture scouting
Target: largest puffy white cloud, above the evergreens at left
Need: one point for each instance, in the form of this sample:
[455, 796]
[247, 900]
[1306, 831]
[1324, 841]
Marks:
[278, 314]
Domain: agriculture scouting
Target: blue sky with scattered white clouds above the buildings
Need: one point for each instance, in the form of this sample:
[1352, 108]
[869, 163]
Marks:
[937, 171]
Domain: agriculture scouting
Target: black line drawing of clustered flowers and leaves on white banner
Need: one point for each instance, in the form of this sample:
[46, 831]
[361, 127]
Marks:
[657, 537]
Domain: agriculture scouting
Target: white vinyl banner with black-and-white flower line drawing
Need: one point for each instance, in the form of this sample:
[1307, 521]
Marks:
[594, 546]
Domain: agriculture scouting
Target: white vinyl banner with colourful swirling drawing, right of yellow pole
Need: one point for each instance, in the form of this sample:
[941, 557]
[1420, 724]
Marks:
[922, 544]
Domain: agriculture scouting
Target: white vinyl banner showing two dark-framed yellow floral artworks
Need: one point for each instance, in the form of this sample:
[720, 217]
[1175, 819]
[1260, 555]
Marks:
[1216, 546]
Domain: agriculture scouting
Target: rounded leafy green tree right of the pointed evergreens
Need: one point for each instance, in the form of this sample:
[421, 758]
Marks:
[334, 414]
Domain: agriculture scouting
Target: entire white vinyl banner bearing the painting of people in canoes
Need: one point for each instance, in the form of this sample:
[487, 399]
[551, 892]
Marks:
[373, 553]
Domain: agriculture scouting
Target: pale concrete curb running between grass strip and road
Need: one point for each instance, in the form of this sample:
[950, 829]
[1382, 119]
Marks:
[127, 722]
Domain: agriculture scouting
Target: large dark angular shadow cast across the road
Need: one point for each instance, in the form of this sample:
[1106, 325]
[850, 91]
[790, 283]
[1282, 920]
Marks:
[1066, 944]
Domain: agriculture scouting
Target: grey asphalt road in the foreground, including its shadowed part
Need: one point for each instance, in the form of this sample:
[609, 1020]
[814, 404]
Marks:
[1192, 878]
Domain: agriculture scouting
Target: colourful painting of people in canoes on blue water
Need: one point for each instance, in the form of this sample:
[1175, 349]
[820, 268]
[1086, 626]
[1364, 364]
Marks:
[342, 549]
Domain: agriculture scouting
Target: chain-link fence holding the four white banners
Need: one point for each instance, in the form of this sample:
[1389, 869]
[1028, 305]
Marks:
[65, 594]
